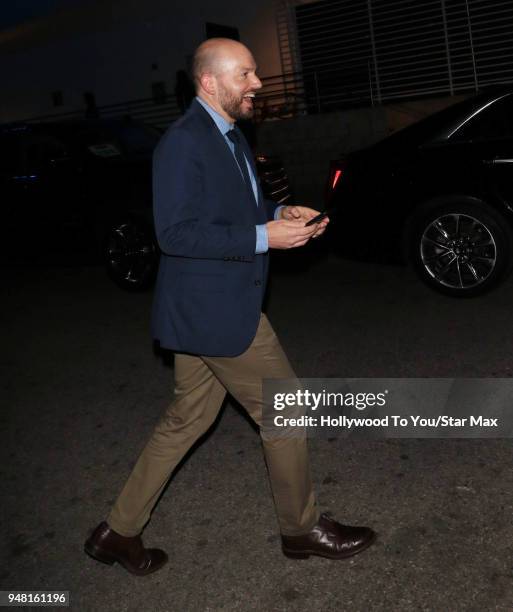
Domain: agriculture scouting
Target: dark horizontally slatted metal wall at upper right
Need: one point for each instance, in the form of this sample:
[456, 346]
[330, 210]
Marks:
[352, 52]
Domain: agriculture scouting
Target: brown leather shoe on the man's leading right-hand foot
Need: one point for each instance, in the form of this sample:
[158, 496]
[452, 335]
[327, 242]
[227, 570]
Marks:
[328, 539]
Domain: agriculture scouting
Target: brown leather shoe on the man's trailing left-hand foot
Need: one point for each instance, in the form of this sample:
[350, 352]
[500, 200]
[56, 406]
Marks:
[108, 546]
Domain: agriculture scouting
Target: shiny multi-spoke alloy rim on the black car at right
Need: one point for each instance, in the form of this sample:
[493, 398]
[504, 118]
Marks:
[458, 251]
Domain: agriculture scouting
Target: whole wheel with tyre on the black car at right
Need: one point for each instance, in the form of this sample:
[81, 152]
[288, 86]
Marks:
[462, 248]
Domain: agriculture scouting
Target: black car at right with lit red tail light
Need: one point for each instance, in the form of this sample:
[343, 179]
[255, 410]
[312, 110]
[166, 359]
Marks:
[438, 194]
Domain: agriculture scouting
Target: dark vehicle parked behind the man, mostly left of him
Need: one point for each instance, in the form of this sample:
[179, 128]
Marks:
[81, 191]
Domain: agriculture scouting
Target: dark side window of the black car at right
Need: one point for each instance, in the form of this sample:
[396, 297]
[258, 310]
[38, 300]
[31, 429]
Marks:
[493, 122]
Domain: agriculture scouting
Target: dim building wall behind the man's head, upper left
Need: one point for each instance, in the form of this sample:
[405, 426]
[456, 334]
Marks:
[109, 46]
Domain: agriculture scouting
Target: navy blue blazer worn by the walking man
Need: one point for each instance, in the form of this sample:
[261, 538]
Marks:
[210, 285]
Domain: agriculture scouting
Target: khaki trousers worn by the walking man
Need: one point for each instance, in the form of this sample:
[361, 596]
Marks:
[201, 384]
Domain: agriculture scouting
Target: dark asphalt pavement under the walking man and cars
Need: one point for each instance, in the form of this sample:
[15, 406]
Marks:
[82, 388]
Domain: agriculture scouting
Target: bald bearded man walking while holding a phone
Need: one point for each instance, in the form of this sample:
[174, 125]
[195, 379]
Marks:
[215, 228]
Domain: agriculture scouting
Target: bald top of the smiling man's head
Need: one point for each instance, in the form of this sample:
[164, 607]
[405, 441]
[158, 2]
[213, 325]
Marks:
[216, 55]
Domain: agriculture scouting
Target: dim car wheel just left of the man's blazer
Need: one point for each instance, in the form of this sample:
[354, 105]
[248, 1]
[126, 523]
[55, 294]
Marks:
[131, 255]
